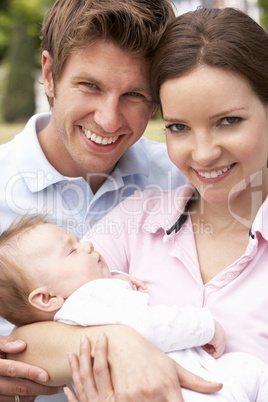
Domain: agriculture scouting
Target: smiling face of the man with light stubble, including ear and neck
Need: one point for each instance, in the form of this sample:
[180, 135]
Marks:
[101, 106]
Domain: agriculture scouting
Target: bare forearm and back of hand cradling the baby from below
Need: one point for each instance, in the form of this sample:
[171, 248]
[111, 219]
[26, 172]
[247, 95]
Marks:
[139, 370]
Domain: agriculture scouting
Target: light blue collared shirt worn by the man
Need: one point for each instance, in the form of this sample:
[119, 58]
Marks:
[30, 184]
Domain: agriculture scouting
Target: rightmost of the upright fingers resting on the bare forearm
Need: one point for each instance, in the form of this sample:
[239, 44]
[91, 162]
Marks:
[101, 369]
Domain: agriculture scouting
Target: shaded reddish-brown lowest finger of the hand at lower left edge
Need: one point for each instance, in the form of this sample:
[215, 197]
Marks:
[18, 386]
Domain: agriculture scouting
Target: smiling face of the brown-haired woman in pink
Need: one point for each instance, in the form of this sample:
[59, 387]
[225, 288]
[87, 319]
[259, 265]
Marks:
[216, 132]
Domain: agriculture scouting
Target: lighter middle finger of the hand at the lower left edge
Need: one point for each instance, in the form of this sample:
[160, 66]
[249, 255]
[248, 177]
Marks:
[11, 368]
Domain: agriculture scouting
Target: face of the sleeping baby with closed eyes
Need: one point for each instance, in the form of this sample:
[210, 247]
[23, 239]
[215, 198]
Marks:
[59, 261]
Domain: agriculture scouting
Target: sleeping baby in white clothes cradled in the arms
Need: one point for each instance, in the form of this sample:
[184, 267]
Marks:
[46, 273]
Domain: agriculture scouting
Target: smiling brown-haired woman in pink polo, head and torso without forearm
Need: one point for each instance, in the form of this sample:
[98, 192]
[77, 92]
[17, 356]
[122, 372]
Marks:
[206, 244]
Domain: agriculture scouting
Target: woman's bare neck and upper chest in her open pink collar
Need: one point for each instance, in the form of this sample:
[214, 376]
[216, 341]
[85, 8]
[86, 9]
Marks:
[222, 231]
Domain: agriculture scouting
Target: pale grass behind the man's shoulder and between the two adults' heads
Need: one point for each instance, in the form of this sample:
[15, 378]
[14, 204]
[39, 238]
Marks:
[154, 131]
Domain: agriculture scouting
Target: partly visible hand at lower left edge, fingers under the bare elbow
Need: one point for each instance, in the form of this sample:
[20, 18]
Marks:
[17, 378]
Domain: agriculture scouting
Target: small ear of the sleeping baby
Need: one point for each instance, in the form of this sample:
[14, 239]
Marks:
[42, 300]
